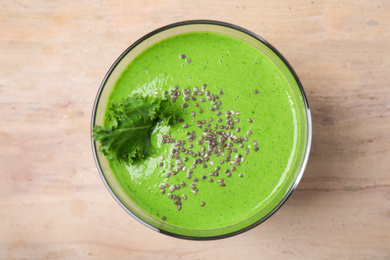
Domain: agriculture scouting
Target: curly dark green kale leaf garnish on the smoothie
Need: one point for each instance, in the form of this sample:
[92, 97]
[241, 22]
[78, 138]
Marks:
[133, 121]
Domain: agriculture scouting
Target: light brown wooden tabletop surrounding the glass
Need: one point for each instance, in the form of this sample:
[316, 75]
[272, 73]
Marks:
[53, 56]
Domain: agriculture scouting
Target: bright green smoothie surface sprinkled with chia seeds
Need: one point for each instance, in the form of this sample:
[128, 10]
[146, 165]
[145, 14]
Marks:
[235, 144]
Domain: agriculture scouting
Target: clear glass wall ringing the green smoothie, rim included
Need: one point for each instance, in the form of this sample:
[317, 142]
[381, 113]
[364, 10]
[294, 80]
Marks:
[202, 26]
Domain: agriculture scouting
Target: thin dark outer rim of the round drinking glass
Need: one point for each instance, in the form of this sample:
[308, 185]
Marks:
[284, 61]
